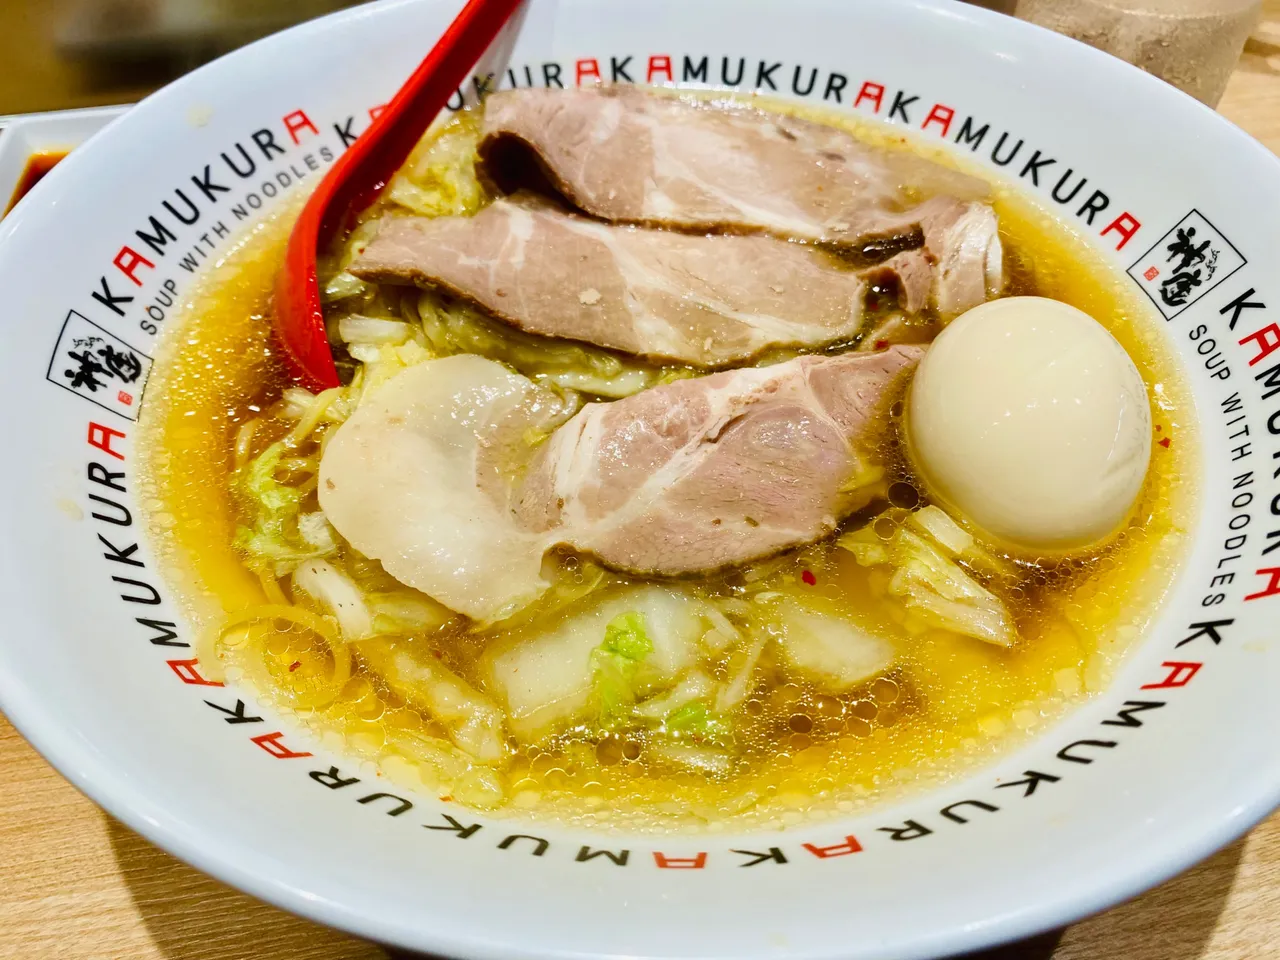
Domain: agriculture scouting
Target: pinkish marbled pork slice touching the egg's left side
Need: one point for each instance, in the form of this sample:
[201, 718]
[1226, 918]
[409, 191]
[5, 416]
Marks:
[706, 474]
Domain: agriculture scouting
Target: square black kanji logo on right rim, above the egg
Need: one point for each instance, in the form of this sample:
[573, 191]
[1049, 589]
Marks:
[1186, 264]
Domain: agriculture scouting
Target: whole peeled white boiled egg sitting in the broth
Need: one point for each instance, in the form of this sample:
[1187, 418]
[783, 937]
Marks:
[1031, 420]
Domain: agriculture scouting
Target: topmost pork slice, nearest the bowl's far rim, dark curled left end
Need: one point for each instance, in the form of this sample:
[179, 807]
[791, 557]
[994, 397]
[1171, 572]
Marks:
[632, 157]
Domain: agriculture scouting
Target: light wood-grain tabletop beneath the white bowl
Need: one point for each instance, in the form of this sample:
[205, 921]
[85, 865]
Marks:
[76, 885]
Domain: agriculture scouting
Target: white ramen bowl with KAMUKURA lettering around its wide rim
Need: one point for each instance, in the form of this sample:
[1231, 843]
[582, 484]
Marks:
[95, 666]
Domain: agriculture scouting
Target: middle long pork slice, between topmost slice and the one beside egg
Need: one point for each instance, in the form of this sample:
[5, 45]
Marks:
[707, 301]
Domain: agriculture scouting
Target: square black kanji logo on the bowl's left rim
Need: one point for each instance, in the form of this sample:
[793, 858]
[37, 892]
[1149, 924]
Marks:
[99, 367]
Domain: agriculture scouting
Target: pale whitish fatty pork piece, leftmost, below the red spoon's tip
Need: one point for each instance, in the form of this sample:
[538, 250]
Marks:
[418, 479]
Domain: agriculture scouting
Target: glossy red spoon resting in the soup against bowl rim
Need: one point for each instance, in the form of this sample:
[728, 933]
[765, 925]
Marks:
[355, 181]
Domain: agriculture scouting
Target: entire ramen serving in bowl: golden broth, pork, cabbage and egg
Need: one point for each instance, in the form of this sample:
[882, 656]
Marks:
[696, 464]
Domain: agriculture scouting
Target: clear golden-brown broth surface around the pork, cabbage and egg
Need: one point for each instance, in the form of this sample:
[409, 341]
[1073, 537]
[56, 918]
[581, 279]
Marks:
[950, 702]
